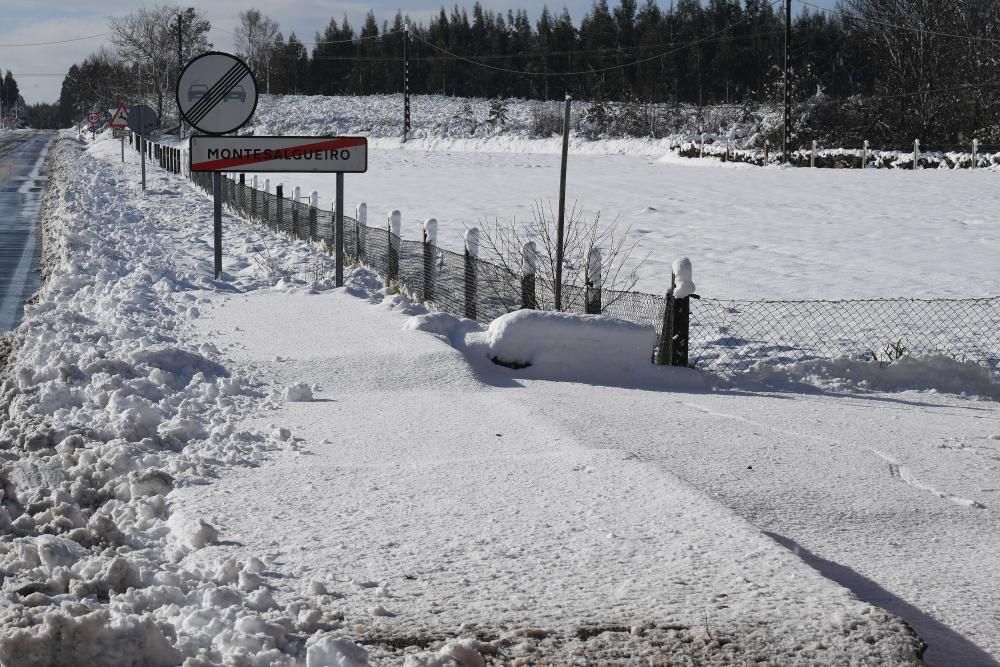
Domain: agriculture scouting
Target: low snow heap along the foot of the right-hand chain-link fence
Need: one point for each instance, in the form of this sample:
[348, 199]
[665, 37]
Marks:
[937, 373]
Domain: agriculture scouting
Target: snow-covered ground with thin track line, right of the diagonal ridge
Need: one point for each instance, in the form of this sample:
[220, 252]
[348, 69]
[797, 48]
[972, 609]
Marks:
[896, 496]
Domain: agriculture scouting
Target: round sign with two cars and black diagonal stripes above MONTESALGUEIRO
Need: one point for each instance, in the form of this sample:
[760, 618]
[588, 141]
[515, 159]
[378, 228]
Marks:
[216, 93]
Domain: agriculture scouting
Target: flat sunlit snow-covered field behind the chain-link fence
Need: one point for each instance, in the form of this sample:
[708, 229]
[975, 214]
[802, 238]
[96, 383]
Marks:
[750, 232]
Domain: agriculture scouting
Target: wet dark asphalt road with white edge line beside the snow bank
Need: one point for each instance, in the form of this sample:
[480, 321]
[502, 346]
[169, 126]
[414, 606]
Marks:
[23, 178]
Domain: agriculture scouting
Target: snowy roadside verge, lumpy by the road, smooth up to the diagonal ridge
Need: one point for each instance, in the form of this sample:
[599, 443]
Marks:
[169, 496]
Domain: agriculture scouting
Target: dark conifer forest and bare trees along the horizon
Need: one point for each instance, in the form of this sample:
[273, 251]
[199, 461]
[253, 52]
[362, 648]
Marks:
[889, 70]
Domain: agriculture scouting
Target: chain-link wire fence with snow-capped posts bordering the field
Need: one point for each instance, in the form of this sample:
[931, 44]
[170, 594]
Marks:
[724, 336]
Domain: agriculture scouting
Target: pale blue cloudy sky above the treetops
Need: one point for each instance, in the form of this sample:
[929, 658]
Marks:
[39, 68]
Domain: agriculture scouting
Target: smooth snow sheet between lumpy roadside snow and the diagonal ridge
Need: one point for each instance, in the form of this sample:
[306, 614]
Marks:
[427, 495]
